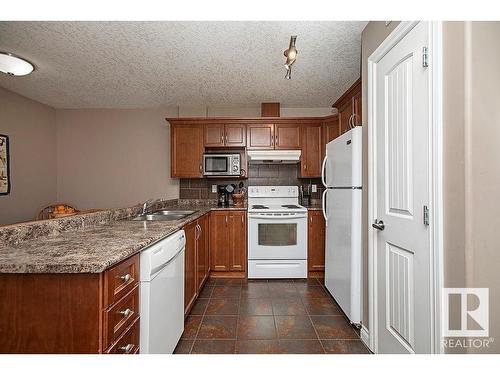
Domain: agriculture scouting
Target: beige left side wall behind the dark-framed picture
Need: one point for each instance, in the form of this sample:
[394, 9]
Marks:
[32, 135]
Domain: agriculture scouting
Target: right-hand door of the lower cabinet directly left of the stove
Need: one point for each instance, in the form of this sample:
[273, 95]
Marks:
[237, 241]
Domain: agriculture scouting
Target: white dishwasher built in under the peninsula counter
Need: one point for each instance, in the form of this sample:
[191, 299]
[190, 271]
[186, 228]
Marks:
[162, 295]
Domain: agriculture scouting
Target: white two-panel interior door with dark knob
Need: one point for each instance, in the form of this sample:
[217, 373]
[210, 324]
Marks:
[401, 190]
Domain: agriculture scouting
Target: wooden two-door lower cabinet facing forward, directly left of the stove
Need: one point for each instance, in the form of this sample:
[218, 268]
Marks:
[228, 240]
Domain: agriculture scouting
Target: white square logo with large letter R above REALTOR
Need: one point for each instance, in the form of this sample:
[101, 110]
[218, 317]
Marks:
[465, 312]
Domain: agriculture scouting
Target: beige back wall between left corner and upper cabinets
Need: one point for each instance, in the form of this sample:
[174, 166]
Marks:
[113, 158]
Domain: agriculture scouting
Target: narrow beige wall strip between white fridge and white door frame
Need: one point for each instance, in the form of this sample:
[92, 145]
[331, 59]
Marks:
[373, 35]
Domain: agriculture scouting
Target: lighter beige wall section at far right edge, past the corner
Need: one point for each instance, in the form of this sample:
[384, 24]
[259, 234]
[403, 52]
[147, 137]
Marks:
[482, 164]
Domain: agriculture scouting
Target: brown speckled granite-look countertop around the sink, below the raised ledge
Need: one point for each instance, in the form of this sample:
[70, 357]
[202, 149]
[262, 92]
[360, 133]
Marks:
[92, 250]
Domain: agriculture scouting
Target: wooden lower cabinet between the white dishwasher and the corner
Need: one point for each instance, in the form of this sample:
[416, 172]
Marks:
[196, 259]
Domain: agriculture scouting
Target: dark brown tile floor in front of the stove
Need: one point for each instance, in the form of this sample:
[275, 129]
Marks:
[267, 316]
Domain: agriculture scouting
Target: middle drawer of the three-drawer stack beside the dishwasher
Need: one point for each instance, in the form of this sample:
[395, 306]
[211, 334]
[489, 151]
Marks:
[118, 317]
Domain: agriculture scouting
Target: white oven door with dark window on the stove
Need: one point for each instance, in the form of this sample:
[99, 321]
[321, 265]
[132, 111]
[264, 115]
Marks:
[277, 236]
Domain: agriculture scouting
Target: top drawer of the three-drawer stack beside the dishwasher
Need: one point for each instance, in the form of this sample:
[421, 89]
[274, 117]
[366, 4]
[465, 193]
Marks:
[120, 279]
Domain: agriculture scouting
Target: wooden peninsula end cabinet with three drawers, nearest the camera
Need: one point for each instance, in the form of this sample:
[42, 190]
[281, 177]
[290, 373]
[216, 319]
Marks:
[71, 313]
